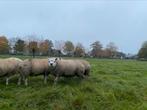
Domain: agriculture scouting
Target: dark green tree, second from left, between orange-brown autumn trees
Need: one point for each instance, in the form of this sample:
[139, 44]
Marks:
[19, 46]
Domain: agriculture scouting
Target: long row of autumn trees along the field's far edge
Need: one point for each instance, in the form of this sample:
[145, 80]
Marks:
[32, 45]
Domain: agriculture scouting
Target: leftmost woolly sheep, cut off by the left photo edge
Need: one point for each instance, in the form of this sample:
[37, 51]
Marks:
[9, 67]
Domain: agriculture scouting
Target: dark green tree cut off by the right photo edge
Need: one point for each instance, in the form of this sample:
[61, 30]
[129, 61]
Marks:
[143, 51]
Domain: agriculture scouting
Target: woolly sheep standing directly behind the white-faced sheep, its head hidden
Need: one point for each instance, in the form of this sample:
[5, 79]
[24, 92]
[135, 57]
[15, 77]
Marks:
[33, 67]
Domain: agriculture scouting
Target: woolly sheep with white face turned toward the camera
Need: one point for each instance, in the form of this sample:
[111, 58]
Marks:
[66, 68]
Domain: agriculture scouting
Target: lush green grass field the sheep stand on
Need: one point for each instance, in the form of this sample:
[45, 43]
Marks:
[113, 85]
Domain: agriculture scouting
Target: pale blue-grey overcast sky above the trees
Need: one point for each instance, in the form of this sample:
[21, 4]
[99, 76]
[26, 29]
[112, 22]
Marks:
[122, 22]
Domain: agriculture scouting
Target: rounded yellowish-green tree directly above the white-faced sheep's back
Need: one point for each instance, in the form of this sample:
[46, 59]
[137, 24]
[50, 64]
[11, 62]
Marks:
[69, 48]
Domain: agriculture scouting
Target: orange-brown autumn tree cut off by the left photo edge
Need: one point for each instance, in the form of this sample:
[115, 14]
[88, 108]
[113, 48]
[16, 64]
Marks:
[4, 46]
